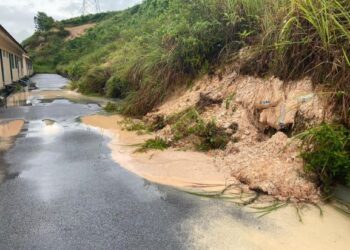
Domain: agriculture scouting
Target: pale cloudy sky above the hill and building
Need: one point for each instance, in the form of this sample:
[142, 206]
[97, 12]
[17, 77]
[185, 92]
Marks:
[17, 15]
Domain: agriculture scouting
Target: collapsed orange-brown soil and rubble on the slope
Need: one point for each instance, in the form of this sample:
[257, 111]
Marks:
[259, 115]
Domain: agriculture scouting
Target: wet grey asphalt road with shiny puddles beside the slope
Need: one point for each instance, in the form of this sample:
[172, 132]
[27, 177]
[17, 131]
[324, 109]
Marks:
[65, 192]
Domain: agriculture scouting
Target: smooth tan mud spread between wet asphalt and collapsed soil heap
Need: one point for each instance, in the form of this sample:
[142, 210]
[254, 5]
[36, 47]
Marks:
[170, 167]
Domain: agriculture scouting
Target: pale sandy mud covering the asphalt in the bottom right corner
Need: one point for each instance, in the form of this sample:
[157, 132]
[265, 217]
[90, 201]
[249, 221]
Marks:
[281, 231]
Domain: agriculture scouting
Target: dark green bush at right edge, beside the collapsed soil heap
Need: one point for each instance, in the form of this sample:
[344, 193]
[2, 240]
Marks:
[326, 152]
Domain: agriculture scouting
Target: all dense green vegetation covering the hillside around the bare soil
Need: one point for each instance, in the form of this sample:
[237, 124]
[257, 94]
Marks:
[142, 54]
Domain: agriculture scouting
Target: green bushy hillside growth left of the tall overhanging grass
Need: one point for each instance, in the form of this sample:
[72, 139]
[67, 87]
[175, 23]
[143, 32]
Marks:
[153, 47]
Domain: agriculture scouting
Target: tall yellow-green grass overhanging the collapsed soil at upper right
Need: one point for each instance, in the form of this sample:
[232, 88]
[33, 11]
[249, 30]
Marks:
[301, 38]
